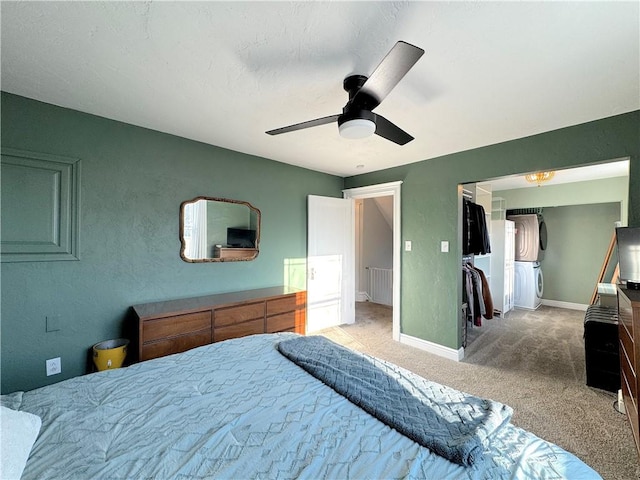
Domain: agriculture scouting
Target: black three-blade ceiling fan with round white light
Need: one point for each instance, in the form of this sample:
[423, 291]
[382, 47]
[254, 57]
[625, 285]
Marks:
[366, 93]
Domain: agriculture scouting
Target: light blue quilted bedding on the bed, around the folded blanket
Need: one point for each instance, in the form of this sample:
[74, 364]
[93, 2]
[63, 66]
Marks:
[242, 409]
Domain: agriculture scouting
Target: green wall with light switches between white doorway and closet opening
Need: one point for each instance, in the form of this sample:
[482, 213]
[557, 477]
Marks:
[431, 292]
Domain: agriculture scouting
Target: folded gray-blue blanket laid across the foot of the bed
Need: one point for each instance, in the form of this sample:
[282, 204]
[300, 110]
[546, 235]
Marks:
[448, 422]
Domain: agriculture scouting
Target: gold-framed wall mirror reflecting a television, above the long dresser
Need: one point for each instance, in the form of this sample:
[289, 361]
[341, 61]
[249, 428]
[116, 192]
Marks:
[218, 230]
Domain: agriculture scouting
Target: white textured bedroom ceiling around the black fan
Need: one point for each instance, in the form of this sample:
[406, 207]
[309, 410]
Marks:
[223, 73]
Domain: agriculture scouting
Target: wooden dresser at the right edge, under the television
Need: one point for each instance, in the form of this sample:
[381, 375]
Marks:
[629, 326]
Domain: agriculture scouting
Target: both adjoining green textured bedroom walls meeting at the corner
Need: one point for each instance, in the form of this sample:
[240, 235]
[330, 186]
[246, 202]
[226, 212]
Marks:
[133, 181]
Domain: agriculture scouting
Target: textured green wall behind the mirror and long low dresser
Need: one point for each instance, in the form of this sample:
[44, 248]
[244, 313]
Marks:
[133, 181]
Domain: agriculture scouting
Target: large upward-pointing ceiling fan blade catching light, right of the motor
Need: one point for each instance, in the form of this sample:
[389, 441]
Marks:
[393, 67]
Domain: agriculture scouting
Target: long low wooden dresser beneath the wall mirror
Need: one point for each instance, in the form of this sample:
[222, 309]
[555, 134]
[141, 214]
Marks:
[174, 326]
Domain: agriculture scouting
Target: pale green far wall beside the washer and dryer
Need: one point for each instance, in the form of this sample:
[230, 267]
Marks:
[578, 240]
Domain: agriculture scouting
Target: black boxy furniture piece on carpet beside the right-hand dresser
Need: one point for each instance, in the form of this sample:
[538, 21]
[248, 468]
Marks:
[602, 358]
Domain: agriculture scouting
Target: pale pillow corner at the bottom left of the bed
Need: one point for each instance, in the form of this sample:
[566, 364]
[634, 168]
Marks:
[18, 433]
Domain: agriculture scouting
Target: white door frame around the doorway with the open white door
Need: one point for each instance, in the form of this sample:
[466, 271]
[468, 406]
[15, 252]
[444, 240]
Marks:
[385, 190]
